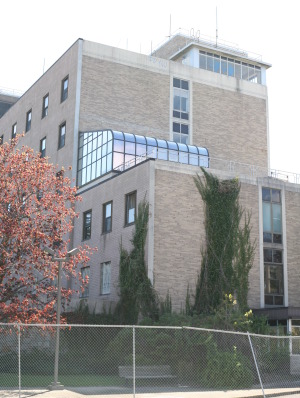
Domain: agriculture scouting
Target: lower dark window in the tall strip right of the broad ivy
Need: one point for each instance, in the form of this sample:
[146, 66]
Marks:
[273, 276]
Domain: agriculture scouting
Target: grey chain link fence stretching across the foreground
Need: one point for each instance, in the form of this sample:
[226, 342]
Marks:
[130, 360]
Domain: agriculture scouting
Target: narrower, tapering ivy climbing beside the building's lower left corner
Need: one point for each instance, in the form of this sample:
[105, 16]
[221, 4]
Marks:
[137, 295]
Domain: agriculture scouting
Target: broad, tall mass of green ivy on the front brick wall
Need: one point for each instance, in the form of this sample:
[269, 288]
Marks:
[228, 254]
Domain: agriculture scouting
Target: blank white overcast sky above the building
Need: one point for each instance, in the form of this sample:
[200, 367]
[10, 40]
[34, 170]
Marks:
[35, 33]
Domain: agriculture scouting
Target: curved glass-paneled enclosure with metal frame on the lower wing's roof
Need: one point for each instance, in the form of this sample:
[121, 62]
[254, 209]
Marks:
[101, 152]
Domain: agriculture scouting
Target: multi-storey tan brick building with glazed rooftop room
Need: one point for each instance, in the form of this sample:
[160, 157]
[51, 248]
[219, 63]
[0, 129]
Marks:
[134, 126]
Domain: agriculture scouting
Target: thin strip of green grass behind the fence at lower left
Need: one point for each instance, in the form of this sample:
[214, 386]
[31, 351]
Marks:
[11, 380]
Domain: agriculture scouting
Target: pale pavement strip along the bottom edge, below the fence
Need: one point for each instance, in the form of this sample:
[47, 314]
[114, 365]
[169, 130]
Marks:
[95, 392]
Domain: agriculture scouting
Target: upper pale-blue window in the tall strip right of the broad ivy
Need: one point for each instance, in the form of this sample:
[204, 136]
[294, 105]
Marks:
[272, 224]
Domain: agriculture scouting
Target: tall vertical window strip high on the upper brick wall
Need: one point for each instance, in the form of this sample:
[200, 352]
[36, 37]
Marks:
[181, 108]
